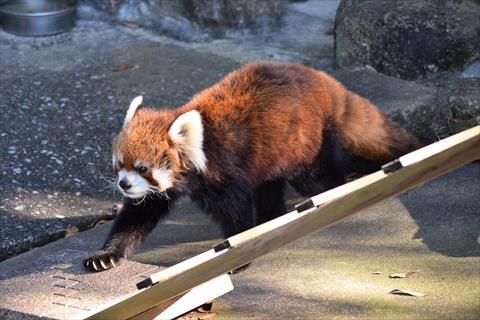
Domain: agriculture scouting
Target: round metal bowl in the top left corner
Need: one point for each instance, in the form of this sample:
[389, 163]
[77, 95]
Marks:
[37, 17]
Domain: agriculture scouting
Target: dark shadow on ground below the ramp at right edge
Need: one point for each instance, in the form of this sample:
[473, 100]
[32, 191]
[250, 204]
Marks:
[447, 212]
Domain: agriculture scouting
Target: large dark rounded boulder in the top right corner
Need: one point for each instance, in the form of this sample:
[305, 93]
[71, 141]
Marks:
[407, 38]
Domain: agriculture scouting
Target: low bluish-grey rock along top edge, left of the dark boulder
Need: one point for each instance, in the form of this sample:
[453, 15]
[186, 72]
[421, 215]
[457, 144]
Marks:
[193, 19]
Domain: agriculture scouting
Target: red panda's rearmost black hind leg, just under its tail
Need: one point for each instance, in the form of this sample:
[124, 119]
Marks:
[326, 172]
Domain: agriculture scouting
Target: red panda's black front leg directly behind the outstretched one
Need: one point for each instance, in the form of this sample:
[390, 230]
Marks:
[229, 202]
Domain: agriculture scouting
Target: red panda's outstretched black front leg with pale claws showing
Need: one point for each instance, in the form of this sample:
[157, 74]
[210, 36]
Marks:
[132, 224]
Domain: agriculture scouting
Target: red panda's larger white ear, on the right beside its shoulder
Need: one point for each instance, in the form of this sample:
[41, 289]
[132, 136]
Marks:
[187, 132]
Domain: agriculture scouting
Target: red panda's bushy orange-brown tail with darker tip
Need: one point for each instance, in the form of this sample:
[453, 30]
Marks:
[369, 134]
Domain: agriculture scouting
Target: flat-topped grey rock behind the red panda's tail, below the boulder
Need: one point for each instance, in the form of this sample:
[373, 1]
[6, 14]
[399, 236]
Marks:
[429, 113]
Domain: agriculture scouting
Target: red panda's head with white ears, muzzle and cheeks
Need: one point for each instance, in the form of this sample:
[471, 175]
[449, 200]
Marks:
[154, 149]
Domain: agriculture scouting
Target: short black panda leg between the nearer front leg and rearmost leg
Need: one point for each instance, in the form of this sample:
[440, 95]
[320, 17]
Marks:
[269, 200]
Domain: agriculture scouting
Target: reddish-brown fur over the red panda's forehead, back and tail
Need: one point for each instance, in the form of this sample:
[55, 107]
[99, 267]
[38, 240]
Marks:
[268, 120]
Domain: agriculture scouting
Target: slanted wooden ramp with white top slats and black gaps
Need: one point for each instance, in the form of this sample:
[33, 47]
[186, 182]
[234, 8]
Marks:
[416, 168]
